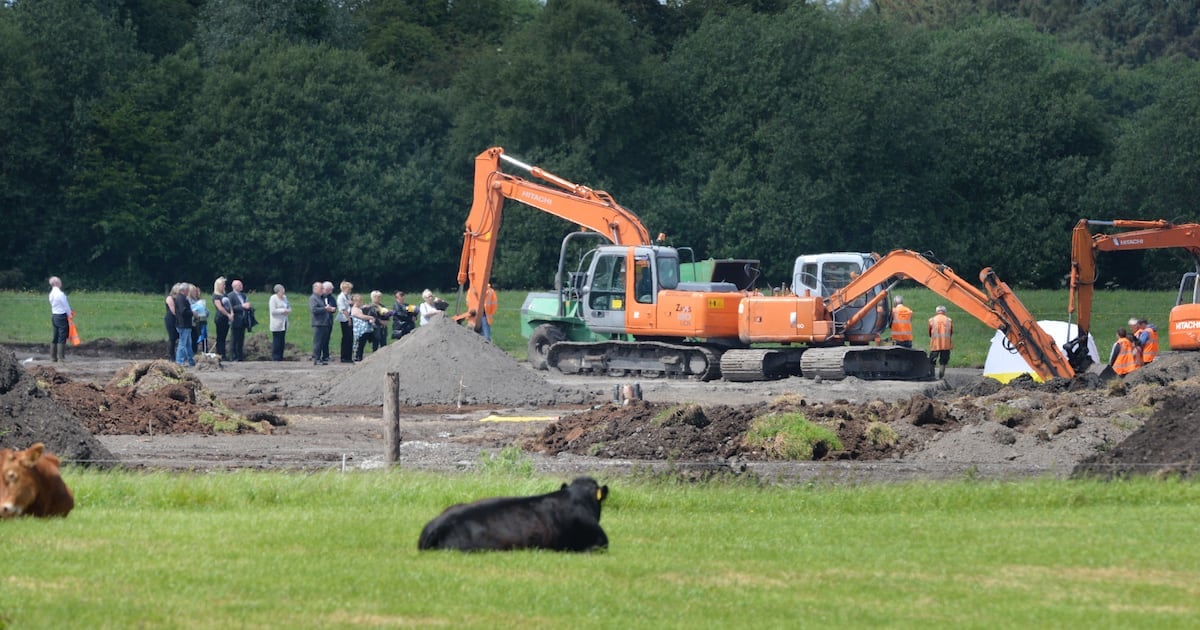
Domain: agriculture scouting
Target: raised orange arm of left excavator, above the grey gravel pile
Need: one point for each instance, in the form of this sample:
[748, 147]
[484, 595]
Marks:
[587, 208]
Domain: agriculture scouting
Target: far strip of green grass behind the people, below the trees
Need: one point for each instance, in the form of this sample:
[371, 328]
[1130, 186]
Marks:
[134, 317]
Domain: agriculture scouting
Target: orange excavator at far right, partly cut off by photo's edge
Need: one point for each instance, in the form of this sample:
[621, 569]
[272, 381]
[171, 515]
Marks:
[1185, 320]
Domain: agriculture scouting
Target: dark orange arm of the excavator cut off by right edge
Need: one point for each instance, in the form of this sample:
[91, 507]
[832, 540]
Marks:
[1084, 248]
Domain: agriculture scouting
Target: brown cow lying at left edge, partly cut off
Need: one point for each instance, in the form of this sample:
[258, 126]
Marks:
[31, 484]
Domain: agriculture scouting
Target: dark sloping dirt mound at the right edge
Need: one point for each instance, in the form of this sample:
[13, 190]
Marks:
[1167, 445]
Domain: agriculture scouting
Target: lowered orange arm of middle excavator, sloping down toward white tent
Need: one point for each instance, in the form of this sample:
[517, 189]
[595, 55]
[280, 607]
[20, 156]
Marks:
[999, 308]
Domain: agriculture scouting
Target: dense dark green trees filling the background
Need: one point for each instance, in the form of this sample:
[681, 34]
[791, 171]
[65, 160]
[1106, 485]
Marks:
[147, 143]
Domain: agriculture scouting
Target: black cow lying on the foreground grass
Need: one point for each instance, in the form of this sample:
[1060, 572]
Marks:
[568, 520]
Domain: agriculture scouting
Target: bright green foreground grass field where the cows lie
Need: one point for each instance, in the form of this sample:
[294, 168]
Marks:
[329, 550]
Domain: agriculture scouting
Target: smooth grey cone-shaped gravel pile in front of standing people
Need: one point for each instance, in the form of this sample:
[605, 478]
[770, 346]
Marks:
[443, 364]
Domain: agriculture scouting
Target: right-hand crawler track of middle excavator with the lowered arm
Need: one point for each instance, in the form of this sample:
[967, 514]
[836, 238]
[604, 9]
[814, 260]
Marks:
[869, 363]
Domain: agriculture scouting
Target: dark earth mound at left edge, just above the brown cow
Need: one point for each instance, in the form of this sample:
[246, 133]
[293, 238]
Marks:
[28, 415]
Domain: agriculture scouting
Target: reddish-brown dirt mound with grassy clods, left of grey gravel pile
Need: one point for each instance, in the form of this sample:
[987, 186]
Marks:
[146, 399]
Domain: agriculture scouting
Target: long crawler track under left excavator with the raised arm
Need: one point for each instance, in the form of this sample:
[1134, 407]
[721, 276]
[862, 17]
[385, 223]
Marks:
[650, 359]
